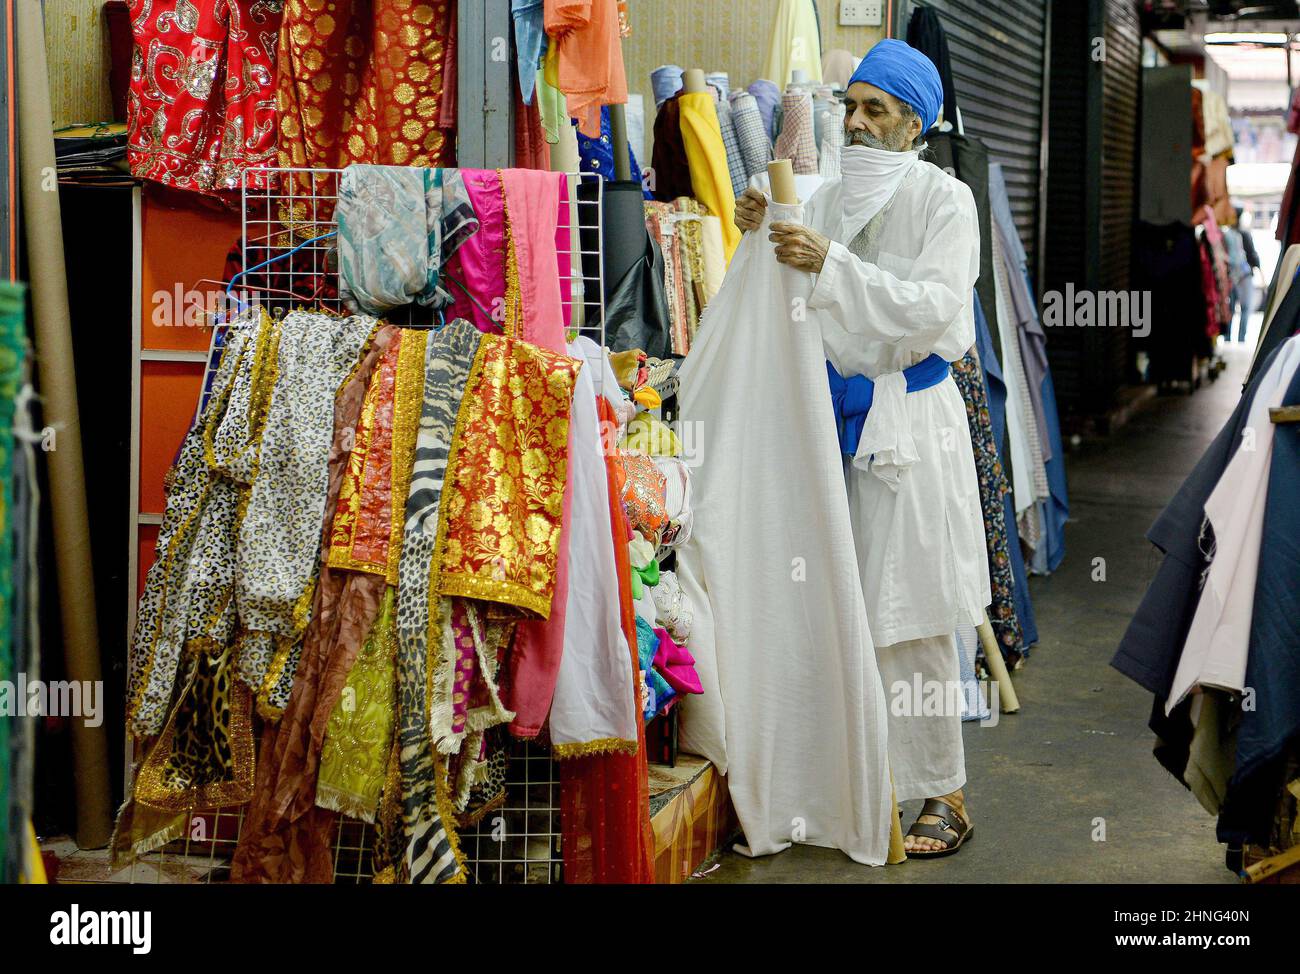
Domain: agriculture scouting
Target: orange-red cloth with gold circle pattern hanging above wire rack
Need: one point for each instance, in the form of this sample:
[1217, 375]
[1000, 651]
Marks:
[361, 81]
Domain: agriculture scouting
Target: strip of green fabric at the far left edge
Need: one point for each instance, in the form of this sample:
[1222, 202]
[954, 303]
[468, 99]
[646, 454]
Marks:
[12, 344]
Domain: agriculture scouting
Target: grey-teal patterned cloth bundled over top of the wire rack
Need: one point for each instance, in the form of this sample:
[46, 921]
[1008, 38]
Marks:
[397, 227]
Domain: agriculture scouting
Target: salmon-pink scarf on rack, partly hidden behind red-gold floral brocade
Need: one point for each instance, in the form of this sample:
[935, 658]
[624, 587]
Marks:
[532, 200]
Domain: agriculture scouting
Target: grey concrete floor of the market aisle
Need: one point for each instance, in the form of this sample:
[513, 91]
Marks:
[1080, 750]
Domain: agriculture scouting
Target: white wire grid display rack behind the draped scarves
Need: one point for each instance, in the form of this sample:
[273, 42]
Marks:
[521, 841]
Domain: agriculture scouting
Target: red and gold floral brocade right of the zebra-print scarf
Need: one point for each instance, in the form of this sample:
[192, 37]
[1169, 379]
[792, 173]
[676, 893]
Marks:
[504, 497]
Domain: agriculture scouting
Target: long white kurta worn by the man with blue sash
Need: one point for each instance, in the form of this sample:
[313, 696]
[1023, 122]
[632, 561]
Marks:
[920, 543]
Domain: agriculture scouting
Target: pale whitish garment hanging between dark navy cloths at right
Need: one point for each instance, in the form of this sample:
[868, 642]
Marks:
[1215, 653]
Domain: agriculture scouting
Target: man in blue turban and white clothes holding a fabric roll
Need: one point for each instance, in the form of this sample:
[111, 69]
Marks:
[892, 254]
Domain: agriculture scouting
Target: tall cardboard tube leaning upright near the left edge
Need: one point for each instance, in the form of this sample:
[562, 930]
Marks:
[58, 380]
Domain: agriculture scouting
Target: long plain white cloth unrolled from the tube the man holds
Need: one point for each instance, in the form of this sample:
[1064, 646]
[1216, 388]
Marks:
[795, 746]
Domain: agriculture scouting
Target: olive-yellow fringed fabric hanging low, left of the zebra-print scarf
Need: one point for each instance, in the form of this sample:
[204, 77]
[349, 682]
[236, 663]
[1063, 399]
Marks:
[359, 735]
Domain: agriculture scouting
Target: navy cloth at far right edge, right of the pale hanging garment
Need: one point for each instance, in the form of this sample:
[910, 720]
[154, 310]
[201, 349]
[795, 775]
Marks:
[1273, 666]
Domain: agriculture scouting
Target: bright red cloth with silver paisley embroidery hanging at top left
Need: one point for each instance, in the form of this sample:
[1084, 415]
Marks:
[202, 105]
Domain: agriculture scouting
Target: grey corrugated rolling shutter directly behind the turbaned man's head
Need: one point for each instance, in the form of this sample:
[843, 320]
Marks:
[999, 54]
